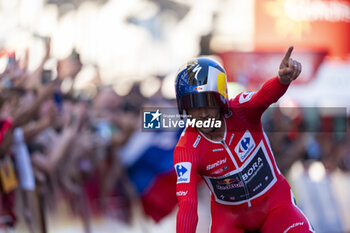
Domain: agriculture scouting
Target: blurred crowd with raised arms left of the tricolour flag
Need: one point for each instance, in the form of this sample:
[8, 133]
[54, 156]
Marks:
[59, 145]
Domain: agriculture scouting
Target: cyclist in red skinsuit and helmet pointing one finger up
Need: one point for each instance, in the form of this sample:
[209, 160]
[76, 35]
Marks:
[248, 192]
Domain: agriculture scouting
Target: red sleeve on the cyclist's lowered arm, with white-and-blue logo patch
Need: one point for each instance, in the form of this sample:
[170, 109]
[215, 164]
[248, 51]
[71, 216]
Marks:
[186, 167]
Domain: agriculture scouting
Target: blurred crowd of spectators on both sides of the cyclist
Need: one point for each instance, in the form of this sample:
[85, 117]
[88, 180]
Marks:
[57, 145]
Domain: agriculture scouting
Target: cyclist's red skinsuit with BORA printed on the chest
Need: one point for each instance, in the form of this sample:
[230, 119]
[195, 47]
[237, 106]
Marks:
[248, 192]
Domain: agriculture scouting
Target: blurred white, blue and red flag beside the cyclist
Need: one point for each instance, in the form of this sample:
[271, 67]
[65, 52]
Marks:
[148, 157]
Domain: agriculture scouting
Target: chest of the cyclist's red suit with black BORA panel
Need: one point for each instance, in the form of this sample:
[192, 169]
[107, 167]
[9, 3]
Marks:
[238, 169]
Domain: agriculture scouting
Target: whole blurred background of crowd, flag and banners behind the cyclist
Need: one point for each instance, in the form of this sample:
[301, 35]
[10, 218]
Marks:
[75, 74]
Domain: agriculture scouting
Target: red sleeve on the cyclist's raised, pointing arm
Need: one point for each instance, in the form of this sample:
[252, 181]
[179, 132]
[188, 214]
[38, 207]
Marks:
[253, 104]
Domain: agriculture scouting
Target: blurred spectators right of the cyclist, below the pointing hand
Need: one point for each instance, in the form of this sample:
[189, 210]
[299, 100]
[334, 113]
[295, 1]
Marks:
[308, 135]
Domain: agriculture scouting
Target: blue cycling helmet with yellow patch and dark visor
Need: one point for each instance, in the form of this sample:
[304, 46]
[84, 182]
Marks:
[201, 83]
